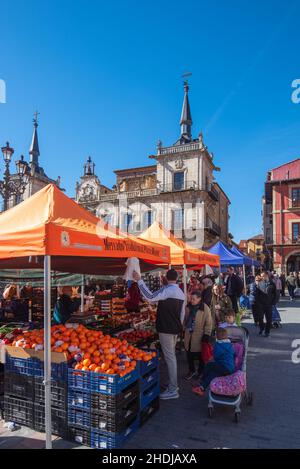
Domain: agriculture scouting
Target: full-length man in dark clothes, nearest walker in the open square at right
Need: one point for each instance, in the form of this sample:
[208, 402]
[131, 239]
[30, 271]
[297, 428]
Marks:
[266, 299]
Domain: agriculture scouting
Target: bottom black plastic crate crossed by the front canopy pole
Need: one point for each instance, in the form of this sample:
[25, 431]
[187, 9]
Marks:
[58, 420]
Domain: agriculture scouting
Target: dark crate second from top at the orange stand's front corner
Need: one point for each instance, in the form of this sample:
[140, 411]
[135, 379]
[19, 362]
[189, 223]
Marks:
[115, 402]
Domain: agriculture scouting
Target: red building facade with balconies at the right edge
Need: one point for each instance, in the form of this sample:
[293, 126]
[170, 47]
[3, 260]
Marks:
[281, 216]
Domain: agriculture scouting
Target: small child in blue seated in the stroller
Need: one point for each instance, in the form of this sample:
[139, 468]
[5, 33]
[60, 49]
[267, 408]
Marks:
[222, 365]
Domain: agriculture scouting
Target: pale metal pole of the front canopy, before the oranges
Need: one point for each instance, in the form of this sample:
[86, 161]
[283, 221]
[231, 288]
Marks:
[47, 350]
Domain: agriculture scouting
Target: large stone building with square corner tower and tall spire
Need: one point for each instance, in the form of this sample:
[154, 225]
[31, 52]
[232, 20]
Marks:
[178, 189]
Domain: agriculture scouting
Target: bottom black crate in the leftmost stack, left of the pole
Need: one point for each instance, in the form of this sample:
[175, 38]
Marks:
[18, 411]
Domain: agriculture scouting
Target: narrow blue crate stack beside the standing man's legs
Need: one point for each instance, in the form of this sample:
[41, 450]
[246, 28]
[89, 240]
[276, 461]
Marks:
[149, 388]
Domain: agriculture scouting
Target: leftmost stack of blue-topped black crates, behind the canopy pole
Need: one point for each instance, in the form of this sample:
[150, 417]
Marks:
[24, 394]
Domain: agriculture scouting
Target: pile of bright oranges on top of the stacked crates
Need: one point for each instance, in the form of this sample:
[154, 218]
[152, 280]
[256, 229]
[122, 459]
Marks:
[92, 350]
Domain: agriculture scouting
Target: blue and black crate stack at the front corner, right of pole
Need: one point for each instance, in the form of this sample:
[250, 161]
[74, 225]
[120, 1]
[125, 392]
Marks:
[103, 410]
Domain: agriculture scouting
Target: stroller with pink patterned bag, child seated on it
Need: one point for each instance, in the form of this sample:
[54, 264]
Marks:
[229, 390]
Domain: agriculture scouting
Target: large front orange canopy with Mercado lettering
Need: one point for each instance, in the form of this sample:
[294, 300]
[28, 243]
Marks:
[50, 223]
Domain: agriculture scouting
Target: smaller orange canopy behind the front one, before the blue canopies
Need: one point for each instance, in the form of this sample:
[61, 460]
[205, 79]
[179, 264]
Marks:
[181, 253]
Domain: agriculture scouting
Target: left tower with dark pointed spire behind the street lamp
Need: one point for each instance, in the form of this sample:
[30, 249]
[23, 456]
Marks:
[37, 178]
